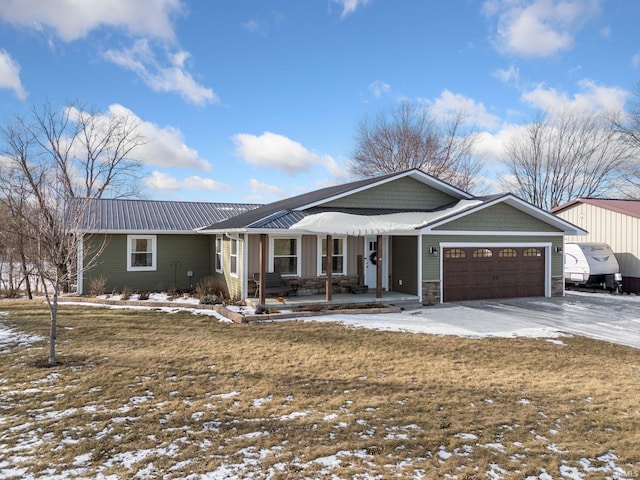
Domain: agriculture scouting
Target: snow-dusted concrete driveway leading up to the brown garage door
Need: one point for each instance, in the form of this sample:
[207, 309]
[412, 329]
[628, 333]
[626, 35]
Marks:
[613, 318]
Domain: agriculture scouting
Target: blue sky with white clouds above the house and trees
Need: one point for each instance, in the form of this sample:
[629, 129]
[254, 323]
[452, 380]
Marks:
[255, 100]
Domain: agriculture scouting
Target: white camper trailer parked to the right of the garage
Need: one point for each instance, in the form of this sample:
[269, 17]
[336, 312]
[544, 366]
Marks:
[591, 265]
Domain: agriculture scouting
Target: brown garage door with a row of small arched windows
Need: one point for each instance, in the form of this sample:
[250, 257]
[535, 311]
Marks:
[478, 273]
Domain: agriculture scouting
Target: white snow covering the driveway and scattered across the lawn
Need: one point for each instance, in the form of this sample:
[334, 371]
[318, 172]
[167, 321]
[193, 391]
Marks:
[497, 319]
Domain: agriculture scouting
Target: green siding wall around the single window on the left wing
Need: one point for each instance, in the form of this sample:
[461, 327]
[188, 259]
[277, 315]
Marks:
[177, 254]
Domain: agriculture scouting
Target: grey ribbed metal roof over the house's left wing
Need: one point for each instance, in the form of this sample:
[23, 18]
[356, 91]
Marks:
[154, 215]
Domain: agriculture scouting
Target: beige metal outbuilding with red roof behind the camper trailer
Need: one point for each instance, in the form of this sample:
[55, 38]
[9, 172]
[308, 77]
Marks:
[611, 221]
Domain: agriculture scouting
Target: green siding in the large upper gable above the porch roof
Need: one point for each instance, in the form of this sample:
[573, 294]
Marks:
[401, 193]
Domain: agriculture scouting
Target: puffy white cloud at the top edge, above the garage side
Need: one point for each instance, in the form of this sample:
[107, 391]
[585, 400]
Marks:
[538, 28]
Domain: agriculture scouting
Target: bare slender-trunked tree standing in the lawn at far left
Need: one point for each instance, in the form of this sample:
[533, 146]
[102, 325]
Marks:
[50, 161]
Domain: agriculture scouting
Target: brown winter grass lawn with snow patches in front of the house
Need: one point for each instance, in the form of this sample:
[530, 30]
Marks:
[157, 395]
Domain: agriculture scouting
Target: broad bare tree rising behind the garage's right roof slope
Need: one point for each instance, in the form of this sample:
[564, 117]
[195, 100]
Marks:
[563, 155]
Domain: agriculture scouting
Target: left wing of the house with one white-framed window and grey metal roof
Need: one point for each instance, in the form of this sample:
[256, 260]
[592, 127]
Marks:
[147, 244]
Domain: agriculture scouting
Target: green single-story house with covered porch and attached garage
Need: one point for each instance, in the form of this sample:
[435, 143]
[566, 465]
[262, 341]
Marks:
[401, 232]
